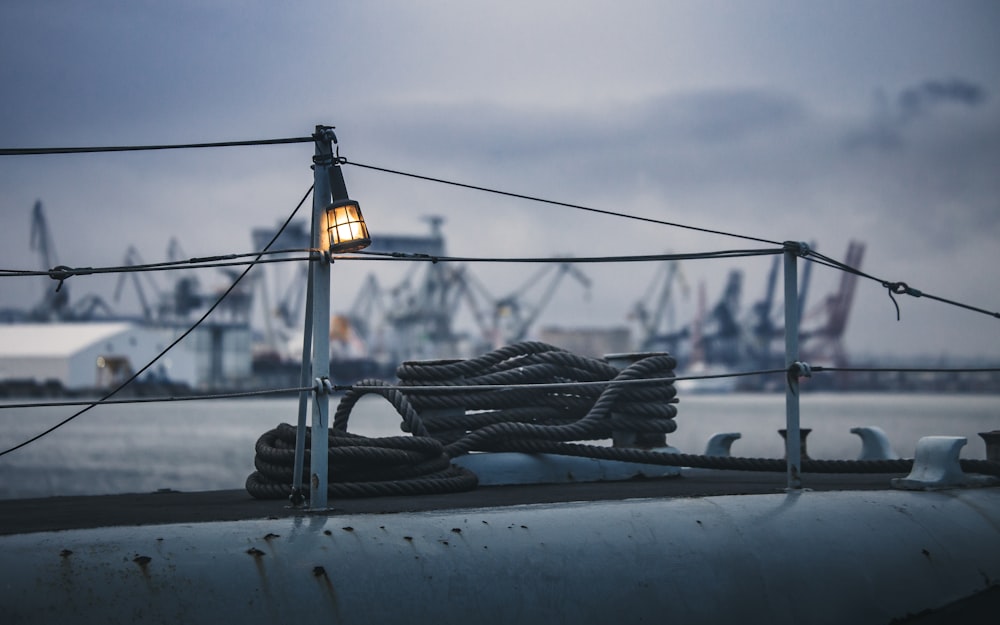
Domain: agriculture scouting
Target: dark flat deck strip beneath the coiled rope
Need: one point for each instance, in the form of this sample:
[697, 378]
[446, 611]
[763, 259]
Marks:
[21, 516]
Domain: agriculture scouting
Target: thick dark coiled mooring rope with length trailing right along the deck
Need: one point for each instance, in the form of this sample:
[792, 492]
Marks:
[527, 397]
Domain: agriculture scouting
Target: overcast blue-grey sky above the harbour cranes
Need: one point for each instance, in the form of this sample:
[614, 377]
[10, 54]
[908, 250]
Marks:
[821, 122]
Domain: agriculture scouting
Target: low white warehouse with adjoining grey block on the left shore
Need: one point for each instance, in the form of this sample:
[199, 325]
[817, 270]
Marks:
[102, 354]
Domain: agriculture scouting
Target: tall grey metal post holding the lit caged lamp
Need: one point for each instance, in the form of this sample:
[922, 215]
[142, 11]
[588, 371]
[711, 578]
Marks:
[320, 274]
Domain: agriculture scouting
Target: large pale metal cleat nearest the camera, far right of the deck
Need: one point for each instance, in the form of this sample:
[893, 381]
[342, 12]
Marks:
[936, 466]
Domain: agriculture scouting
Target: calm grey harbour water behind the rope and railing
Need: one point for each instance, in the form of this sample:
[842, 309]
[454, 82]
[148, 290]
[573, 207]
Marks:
[209, 445]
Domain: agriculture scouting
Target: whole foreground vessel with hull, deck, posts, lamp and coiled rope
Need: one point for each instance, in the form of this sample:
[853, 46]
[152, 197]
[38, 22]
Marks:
[522, 529]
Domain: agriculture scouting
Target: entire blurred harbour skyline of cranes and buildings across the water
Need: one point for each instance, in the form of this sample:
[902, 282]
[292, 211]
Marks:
[254, 338]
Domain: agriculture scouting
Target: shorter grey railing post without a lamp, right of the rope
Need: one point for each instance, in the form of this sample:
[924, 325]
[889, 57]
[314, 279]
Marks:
[793, 442]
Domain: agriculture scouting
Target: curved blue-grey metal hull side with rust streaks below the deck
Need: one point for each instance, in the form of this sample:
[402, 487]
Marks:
[818, 557]
